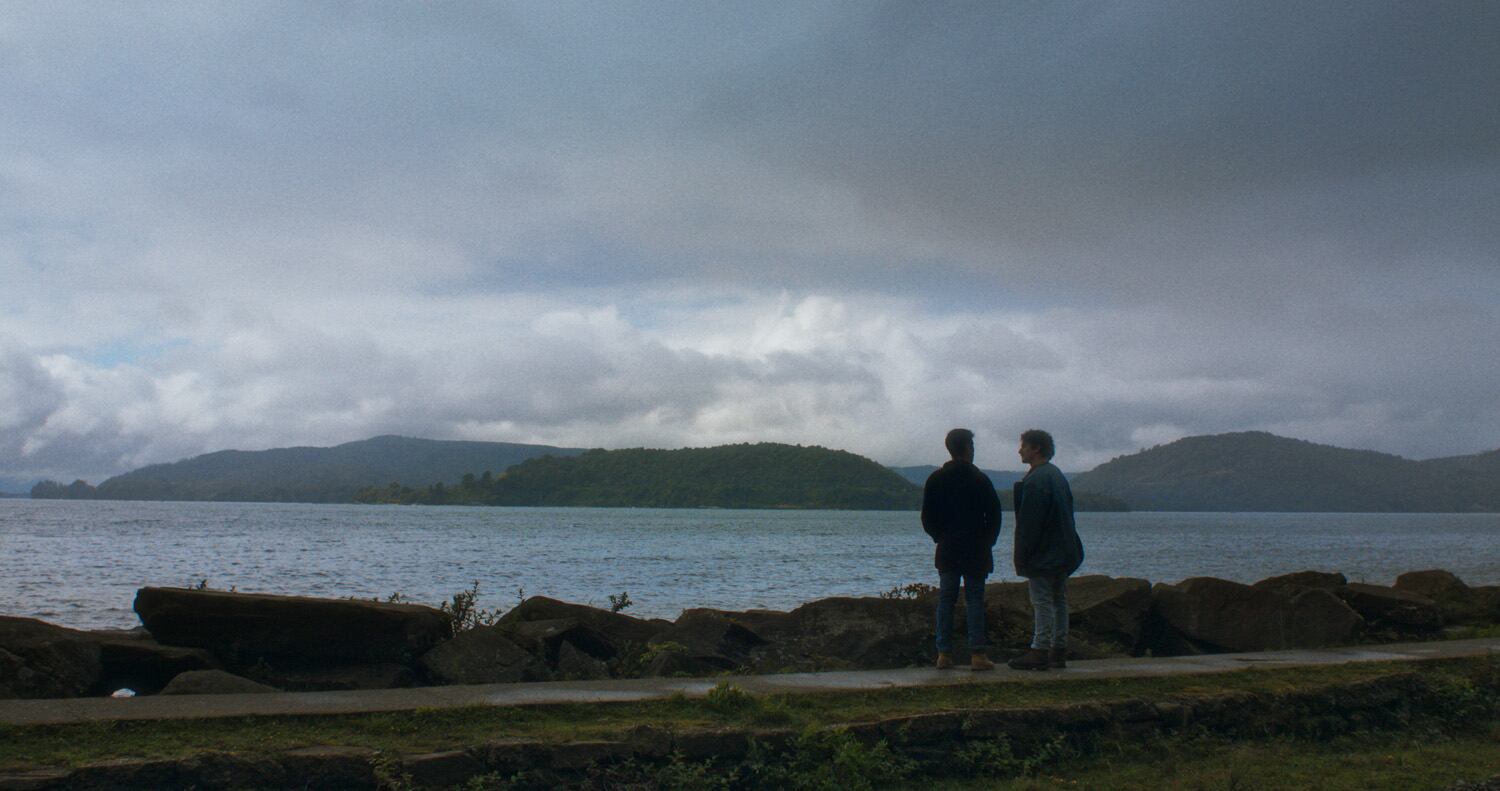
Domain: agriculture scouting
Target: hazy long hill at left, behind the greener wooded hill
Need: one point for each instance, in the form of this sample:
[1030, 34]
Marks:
[307, 475]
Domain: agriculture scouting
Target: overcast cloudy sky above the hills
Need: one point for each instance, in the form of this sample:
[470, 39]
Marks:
[250, 226]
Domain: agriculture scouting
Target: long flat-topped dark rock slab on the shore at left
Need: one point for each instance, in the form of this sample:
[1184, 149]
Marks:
[242, 627]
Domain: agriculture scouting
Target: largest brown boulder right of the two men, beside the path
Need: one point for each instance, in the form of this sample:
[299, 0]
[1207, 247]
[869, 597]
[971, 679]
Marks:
[1210, 616]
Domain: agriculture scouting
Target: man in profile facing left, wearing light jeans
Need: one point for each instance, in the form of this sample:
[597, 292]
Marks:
[1048, 550]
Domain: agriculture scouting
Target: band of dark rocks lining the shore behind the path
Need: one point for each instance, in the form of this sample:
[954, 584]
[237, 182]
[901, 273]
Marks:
[206, 642]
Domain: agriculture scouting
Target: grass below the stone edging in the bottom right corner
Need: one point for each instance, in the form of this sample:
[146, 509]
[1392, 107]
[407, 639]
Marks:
[1358, 763]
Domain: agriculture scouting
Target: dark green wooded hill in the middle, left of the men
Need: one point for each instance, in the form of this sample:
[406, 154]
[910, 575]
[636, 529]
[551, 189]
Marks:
[740, 477]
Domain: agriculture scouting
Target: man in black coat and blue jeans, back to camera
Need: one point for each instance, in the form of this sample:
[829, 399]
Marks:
[962, 514]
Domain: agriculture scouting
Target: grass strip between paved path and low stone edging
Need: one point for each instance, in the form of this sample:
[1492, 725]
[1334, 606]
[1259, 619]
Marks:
[454, 729]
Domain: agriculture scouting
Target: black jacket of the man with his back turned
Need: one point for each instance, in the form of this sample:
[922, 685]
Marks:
[962, 514]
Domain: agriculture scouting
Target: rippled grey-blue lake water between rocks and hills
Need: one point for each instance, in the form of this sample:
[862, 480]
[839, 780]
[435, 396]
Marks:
[79, 564]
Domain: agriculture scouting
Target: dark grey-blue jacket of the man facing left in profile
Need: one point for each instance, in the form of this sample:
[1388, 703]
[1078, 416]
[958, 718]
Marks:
[1046, 540]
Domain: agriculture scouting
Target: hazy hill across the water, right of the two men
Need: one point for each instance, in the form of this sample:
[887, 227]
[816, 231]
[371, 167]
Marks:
[1262, 472]
